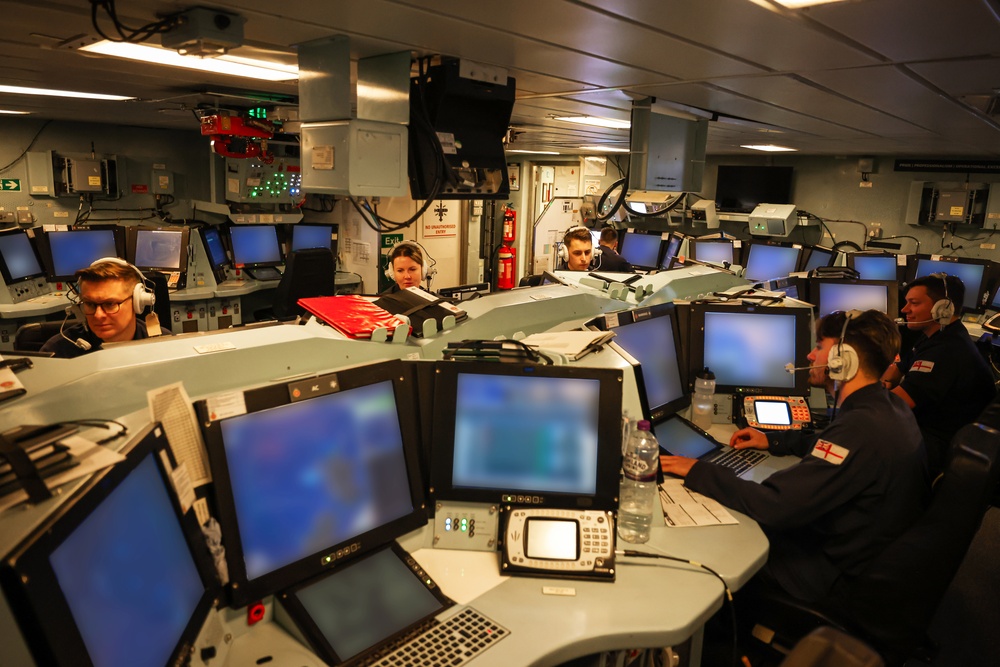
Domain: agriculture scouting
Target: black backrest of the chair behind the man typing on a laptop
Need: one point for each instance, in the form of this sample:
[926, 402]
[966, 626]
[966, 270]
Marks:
[894, 599]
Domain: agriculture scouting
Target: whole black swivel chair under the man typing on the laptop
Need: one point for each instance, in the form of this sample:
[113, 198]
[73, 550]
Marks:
[891, 603]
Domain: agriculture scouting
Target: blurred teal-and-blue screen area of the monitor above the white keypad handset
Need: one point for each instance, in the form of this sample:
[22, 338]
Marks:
[526, 433]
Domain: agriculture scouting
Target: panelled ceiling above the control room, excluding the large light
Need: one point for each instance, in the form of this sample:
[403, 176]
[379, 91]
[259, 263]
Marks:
[863, 77]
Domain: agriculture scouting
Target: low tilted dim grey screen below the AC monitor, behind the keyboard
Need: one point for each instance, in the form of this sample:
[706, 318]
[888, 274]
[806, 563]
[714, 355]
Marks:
[364, 603]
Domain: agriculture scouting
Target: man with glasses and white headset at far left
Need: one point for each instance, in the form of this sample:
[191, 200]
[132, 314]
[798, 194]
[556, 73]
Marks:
[107, 296]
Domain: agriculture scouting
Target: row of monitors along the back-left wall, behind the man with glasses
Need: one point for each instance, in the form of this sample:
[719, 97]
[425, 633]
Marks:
[57, 255]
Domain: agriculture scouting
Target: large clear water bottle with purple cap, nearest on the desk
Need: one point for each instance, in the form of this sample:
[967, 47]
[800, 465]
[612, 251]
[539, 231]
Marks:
[638, 493]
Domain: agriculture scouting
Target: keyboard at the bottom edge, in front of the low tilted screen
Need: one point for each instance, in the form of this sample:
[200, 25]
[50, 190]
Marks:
[454, 641]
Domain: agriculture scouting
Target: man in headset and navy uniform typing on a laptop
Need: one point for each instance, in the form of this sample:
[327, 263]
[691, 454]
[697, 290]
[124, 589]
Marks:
[861, 481]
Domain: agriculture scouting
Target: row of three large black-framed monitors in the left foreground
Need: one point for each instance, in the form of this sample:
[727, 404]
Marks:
[304, 481]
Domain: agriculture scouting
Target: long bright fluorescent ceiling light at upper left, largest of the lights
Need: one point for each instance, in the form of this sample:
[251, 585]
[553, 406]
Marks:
[229, 64]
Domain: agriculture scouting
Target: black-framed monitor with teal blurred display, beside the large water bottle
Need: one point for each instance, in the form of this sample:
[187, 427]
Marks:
[524, 434]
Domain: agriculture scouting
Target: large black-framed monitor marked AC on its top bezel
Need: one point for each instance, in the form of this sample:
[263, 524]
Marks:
[313, 472]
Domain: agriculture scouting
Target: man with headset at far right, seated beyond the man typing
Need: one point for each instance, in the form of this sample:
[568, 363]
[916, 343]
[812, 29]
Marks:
[943, 377]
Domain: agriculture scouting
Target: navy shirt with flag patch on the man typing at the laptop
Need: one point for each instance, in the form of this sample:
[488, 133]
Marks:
[860, 483]
